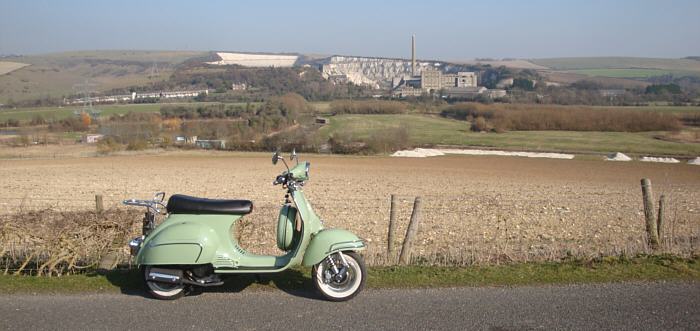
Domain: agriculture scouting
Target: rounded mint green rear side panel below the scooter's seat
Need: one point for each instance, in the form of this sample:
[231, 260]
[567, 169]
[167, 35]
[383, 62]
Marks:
[181, 243]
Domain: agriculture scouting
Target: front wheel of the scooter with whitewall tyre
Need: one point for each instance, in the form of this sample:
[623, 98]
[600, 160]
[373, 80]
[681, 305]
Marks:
[343, 285]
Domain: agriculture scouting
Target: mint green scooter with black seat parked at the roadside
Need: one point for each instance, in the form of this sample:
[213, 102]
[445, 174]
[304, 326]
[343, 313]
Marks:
[193, 246]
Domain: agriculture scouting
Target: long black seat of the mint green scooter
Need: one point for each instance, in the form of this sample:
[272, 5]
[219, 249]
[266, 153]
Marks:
[183, 204]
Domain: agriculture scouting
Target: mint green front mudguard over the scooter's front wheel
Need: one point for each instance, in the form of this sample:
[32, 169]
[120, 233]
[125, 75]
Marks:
[330, 241]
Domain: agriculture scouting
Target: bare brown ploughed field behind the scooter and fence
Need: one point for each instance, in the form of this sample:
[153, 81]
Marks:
[475, 209]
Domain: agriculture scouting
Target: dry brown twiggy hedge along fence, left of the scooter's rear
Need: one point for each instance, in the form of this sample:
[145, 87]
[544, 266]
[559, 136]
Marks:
[52, 243]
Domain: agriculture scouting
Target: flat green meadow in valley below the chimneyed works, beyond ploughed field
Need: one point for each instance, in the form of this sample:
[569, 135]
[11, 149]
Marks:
[429, 130]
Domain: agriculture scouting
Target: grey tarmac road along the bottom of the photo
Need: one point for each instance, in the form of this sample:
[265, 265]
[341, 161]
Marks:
[622, 306]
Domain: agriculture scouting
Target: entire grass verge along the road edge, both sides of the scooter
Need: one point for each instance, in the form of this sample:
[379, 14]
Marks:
[613, 269]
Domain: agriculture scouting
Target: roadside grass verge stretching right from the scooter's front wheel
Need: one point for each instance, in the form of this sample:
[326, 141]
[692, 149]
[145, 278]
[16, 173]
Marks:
[598, 271]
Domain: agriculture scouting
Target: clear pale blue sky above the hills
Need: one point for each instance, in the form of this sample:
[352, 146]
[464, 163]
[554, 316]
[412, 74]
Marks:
[447, 30]
